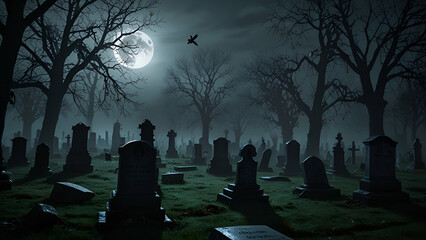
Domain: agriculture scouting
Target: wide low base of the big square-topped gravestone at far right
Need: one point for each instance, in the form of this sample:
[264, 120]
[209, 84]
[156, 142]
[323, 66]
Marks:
[380, 198]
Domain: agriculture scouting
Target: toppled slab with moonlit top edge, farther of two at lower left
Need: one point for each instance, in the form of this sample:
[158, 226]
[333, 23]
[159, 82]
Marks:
[66, 192]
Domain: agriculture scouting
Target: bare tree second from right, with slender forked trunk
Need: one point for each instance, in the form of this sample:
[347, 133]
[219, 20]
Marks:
[312, 21]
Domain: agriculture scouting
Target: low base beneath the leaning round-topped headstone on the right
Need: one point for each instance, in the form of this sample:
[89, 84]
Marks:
[326, 193]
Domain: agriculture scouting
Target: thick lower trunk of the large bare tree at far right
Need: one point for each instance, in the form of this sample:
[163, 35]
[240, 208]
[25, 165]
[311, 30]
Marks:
[376, 109]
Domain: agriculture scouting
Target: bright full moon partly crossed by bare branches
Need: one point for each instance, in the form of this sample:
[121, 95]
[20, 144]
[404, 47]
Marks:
[139, 54]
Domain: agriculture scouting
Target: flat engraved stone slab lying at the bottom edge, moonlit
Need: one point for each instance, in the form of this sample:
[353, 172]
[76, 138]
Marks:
[252, 232]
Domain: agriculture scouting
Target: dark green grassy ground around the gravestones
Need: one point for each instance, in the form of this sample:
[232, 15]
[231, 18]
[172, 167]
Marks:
[196, 212]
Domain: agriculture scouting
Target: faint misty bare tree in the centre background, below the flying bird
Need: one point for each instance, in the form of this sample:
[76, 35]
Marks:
[203, 81]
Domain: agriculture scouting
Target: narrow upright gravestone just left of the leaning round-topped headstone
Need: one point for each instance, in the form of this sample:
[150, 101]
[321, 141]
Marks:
[292, 167]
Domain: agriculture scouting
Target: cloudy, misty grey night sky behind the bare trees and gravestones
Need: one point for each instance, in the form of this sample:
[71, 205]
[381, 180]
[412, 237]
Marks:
[240, 28]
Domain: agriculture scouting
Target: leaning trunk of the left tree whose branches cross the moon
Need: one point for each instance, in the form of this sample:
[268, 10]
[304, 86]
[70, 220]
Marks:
[51, 116]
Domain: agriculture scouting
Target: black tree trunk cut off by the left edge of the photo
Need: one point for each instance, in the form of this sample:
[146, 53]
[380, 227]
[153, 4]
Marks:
[12, 28]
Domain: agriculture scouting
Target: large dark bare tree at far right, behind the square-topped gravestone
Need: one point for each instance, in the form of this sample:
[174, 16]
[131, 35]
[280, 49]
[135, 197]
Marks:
[377, 39]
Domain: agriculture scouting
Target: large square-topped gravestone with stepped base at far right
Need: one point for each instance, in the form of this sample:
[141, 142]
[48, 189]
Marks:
[379, 185]
